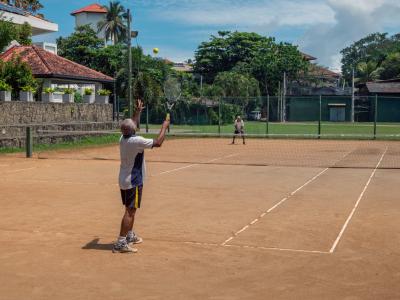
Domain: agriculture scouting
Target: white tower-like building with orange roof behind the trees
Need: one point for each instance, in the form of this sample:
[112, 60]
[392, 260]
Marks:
[90, 15]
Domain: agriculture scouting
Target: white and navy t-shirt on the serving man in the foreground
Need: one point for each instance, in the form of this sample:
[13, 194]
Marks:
[132, 171]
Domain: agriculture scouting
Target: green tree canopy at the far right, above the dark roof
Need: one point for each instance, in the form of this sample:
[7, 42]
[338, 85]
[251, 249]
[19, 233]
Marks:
[374, 48]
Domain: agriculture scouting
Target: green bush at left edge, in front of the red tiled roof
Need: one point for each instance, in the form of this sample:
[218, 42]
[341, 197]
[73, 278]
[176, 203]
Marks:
[17, 74]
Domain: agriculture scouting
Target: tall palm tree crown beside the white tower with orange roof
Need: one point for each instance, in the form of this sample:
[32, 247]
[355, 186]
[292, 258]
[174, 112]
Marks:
[113, 24]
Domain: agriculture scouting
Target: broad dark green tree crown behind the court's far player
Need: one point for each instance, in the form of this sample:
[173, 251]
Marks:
[249, 53]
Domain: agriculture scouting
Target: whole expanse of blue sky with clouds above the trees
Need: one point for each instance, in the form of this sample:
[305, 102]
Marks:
[320, 28]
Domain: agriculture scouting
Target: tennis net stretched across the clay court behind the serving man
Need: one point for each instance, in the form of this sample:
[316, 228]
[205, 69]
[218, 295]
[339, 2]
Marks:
[289, 150]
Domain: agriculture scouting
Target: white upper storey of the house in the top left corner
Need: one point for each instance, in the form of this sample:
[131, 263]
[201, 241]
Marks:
[20, 16]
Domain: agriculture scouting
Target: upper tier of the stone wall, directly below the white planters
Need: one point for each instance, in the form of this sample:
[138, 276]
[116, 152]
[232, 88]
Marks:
[18, 113]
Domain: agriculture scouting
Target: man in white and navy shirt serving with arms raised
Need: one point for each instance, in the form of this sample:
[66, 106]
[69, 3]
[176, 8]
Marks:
[132, 174]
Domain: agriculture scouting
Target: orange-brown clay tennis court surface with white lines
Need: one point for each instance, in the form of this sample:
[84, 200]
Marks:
[275, 219]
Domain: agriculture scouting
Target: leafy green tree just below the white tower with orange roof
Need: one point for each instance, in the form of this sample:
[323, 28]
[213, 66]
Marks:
[80, 46]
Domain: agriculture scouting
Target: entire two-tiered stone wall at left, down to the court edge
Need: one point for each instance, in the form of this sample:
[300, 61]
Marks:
[52, 122]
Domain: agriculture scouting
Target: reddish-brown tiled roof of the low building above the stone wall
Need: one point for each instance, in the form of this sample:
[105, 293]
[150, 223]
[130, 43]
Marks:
[45, 64]
